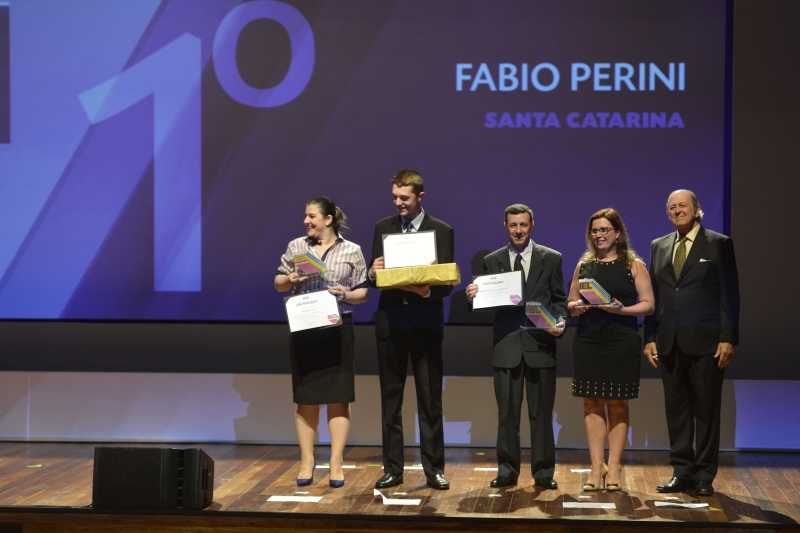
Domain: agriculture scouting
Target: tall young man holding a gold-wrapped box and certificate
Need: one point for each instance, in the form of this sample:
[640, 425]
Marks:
[410, 324]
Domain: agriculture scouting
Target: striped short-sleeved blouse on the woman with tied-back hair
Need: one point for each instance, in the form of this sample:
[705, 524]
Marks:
[345, 262]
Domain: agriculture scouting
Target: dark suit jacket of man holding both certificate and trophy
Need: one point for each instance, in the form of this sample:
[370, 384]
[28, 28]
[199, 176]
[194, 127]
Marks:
[545, 284]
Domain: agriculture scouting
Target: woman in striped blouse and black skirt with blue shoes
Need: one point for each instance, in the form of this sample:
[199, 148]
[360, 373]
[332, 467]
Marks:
[323, 359]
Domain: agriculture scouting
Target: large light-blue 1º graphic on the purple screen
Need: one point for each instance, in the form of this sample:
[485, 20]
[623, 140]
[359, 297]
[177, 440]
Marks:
[172, 76]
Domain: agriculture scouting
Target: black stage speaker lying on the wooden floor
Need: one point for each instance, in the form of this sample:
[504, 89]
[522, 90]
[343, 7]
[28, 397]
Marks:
[152, 478]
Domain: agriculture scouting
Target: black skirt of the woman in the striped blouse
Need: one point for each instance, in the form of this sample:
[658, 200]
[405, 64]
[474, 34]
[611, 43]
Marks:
[323, 364]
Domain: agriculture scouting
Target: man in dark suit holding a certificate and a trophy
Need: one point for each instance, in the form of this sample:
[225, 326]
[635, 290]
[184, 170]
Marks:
[525, 358]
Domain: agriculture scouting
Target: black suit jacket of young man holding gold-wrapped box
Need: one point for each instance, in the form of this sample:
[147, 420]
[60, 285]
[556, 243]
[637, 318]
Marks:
[427, 313]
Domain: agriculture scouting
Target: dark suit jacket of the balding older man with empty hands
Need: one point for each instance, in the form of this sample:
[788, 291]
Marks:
[701, 308]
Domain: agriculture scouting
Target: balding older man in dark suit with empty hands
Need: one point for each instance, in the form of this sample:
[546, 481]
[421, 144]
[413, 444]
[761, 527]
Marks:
[692, 334]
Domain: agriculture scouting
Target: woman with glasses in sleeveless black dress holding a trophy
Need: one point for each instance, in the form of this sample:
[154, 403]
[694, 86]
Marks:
[607, 348]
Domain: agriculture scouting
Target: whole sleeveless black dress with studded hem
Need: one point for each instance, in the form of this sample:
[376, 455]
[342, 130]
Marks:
[606, 355]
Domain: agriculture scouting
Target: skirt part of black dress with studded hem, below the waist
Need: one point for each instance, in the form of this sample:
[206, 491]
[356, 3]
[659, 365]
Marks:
[606, 364]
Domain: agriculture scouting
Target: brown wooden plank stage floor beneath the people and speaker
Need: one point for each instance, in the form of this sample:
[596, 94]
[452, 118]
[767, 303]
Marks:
[48, 487]
